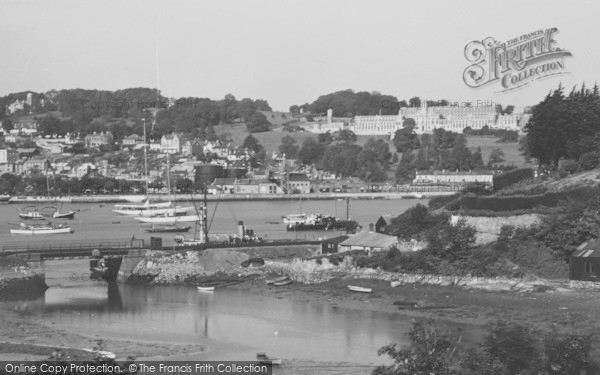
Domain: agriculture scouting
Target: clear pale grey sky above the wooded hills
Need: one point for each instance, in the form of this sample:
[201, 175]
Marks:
[286, 52]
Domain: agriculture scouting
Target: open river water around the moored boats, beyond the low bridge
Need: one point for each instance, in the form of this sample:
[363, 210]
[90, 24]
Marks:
[95, 222]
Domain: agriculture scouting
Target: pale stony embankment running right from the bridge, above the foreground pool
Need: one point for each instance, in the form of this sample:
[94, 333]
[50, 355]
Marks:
[214, 266]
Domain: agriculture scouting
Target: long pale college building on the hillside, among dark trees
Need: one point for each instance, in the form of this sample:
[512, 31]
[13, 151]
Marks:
[451, 118]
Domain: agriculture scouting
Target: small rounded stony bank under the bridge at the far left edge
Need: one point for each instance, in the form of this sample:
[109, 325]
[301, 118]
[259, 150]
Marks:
[20, 281]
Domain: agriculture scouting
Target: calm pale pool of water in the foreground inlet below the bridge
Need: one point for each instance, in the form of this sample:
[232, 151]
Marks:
[232, 321]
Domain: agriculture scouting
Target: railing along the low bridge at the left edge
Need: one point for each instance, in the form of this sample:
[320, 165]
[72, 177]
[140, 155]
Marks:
[71, 245]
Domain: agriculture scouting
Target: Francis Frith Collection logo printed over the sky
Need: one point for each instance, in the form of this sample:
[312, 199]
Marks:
[515, 63]
